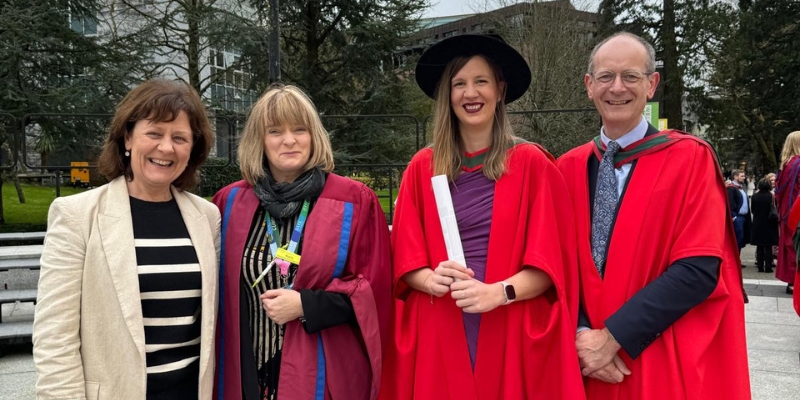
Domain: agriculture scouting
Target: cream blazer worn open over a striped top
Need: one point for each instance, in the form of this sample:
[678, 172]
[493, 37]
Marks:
[88, 332]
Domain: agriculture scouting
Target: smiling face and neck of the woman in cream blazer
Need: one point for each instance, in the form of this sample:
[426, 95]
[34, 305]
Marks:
[160, 152]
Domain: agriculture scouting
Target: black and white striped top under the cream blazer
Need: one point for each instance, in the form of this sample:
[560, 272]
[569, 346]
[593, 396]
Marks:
[170, 285]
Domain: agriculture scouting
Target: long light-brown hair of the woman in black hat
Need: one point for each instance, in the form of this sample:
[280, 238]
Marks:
[447, 146]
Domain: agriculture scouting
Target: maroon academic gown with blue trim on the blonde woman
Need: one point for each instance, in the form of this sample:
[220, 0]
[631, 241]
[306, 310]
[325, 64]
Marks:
[345, 250]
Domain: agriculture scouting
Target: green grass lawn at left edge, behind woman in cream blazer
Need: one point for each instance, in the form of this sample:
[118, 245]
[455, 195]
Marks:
[31, 216]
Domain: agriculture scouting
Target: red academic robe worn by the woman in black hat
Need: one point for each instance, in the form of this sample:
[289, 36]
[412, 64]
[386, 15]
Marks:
[526, 350]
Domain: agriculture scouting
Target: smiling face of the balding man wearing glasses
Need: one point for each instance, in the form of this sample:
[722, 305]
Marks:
[621, 103]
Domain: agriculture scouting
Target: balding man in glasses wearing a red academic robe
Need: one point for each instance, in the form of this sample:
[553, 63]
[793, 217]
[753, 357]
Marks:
[662, 304]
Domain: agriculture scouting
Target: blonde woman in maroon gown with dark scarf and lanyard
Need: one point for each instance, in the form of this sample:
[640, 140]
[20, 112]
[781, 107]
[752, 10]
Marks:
[305, 265]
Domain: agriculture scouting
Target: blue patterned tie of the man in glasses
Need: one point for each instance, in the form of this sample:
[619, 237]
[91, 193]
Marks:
[605, 203]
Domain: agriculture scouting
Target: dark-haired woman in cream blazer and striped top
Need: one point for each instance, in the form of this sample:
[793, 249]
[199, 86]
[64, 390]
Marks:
[127, 299]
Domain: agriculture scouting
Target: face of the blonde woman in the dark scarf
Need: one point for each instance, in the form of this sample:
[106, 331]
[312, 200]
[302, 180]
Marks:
[288, 149]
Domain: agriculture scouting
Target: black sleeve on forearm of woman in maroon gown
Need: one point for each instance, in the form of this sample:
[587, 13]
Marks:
[323, 310]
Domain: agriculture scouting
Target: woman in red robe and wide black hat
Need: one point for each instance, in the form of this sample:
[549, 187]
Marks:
[503, 325]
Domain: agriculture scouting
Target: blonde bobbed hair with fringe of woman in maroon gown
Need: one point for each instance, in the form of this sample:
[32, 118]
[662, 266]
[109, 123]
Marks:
[278, 106]
